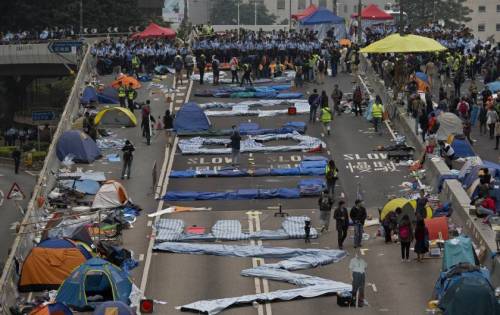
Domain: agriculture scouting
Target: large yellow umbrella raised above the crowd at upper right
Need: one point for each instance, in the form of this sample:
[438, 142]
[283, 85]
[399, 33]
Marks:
[396, 43]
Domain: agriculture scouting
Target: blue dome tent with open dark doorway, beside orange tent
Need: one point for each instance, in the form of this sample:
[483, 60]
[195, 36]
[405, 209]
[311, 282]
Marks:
[96, 278]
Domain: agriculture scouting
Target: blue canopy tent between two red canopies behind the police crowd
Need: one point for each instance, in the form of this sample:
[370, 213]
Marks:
[322, 20]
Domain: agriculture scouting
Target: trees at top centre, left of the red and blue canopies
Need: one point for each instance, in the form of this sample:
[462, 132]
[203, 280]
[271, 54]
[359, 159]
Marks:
[225, 12]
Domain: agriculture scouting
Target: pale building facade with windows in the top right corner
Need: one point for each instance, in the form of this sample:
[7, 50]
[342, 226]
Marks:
[485, 23]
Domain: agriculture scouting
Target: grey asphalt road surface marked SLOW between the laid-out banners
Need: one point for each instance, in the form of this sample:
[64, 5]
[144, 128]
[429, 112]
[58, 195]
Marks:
[181, 279]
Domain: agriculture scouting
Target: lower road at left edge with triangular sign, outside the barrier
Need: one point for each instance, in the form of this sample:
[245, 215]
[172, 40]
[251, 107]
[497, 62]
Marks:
[10, 213]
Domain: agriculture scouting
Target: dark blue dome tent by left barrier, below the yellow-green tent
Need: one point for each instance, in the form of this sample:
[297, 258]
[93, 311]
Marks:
[79, 145]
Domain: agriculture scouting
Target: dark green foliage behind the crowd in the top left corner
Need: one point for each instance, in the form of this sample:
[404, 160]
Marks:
[38, 14]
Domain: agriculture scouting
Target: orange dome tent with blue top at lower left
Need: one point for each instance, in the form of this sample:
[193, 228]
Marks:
[49, 263]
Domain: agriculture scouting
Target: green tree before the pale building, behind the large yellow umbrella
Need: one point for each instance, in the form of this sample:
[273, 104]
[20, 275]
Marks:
[423, 12]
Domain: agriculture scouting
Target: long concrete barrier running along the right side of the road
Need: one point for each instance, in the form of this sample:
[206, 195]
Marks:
[482, 235]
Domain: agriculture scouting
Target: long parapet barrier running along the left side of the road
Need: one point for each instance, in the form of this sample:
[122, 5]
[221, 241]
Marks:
[28, 234]
